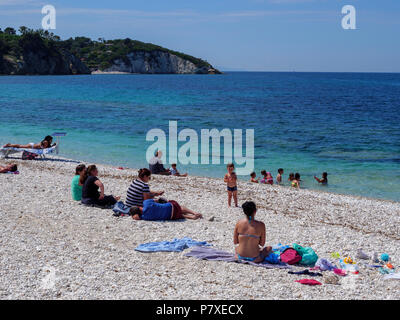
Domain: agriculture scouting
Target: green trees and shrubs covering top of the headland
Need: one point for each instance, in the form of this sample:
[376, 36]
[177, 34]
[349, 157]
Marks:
[96, 55]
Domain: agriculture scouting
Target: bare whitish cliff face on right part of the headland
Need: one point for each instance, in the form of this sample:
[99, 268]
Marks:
[154, 62]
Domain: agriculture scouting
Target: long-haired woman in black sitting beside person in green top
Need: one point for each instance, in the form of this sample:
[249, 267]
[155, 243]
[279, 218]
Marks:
[90, 189]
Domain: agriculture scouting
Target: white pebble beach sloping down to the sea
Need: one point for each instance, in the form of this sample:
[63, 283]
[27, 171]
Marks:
[55, 248]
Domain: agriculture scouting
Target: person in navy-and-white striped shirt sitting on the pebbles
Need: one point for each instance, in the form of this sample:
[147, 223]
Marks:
[139, 190]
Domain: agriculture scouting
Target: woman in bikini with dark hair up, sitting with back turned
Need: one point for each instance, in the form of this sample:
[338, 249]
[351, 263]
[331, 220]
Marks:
[249, 236]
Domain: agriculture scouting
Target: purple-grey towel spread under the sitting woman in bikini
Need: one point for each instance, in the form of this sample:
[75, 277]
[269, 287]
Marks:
[212, 254]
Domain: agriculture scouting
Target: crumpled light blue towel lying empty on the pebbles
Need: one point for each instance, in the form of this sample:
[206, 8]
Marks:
[175, 245]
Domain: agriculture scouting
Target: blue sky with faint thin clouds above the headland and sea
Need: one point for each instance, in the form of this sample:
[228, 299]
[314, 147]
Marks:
[253, 35]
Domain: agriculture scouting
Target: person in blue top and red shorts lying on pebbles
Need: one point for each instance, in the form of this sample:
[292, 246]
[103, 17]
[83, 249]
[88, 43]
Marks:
[161, 209]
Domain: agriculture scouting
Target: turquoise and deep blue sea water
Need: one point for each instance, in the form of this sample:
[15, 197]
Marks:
[347, 124]
